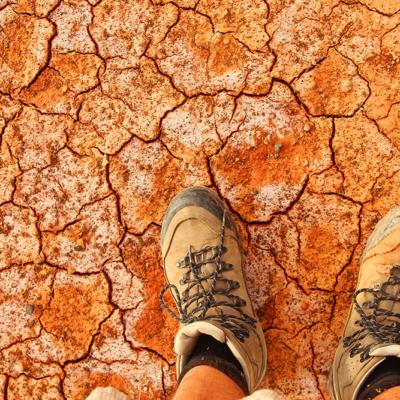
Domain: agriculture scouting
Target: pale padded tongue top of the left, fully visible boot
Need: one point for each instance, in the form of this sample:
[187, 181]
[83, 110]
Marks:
[186, 339]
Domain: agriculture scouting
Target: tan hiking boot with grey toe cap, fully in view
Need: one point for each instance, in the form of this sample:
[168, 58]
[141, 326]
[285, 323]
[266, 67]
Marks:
[202, 258]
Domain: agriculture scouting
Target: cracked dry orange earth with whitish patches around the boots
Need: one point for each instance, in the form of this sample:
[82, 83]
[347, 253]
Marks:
[289, 109]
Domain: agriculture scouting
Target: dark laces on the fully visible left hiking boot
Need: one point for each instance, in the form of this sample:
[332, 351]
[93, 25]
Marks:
[206, 299]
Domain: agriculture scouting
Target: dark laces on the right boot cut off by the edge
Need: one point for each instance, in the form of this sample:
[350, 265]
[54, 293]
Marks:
[384, 331]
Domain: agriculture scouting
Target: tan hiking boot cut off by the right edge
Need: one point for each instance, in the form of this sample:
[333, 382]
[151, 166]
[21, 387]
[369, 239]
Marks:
[372, 330]
